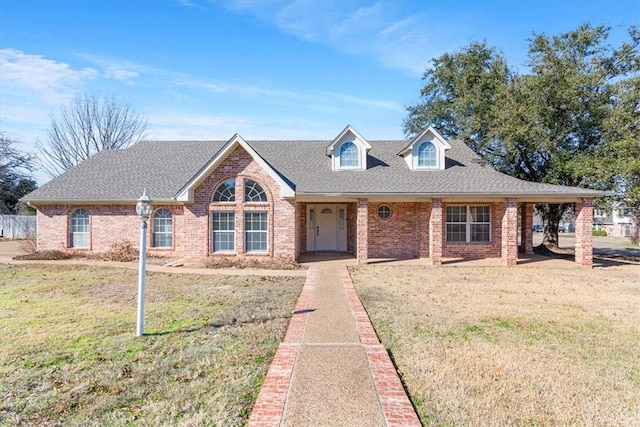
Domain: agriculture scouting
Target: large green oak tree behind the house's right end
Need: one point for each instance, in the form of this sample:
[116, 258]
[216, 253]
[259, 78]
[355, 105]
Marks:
[551, 124]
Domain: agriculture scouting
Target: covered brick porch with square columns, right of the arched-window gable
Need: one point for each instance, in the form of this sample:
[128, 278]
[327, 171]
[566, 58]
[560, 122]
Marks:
[374, 230]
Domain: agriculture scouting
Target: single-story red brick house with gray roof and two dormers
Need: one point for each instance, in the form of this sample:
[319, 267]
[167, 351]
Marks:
[427, 197]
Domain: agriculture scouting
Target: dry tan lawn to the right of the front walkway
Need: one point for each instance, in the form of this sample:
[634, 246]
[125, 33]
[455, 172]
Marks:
[511, 346]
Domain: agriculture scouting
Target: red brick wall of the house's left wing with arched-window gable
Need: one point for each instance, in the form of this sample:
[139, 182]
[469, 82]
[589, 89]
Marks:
[191, 224]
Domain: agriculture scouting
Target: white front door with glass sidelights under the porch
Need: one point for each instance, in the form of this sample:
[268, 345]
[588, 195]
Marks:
[326, 228]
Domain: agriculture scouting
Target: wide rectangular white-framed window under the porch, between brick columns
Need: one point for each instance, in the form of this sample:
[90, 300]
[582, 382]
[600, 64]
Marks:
[468, 224]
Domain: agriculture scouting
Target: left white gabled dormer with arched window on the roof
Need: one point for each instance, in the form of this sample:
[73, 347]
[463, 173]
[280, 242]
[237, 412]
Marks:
[348, 151]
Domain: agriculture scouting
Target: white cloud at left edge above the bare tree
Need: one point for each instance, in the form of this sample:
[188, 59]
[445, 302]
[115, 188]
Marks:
[34, 75]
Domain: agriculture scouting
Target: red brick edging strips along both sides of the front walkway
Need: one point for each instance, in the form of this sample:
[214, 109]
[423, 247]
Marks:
[269, 407]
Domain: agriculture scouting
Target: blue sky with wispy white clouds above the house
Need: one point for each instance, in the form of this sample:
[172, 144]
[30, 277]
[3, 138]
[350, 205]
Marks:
[206, 69]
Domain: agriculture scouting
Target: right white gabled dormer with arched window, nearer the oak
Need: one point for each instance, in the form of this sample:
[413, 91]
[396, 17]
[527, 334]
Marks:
[426, 151]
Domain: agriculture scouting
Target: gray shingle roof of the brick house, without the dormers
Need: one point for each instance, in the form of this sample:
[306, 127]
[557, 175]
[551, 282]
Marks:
[164, 167]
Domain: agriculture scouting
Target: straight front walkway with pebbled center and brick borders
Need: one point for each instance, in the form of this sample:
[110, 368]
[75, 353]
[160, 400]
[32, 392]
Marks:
[331, 370]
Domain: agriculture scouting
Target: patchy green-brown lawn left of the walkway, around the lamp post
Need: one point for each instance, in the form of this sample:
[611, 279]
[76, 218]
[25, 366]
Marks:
[69, 355]
